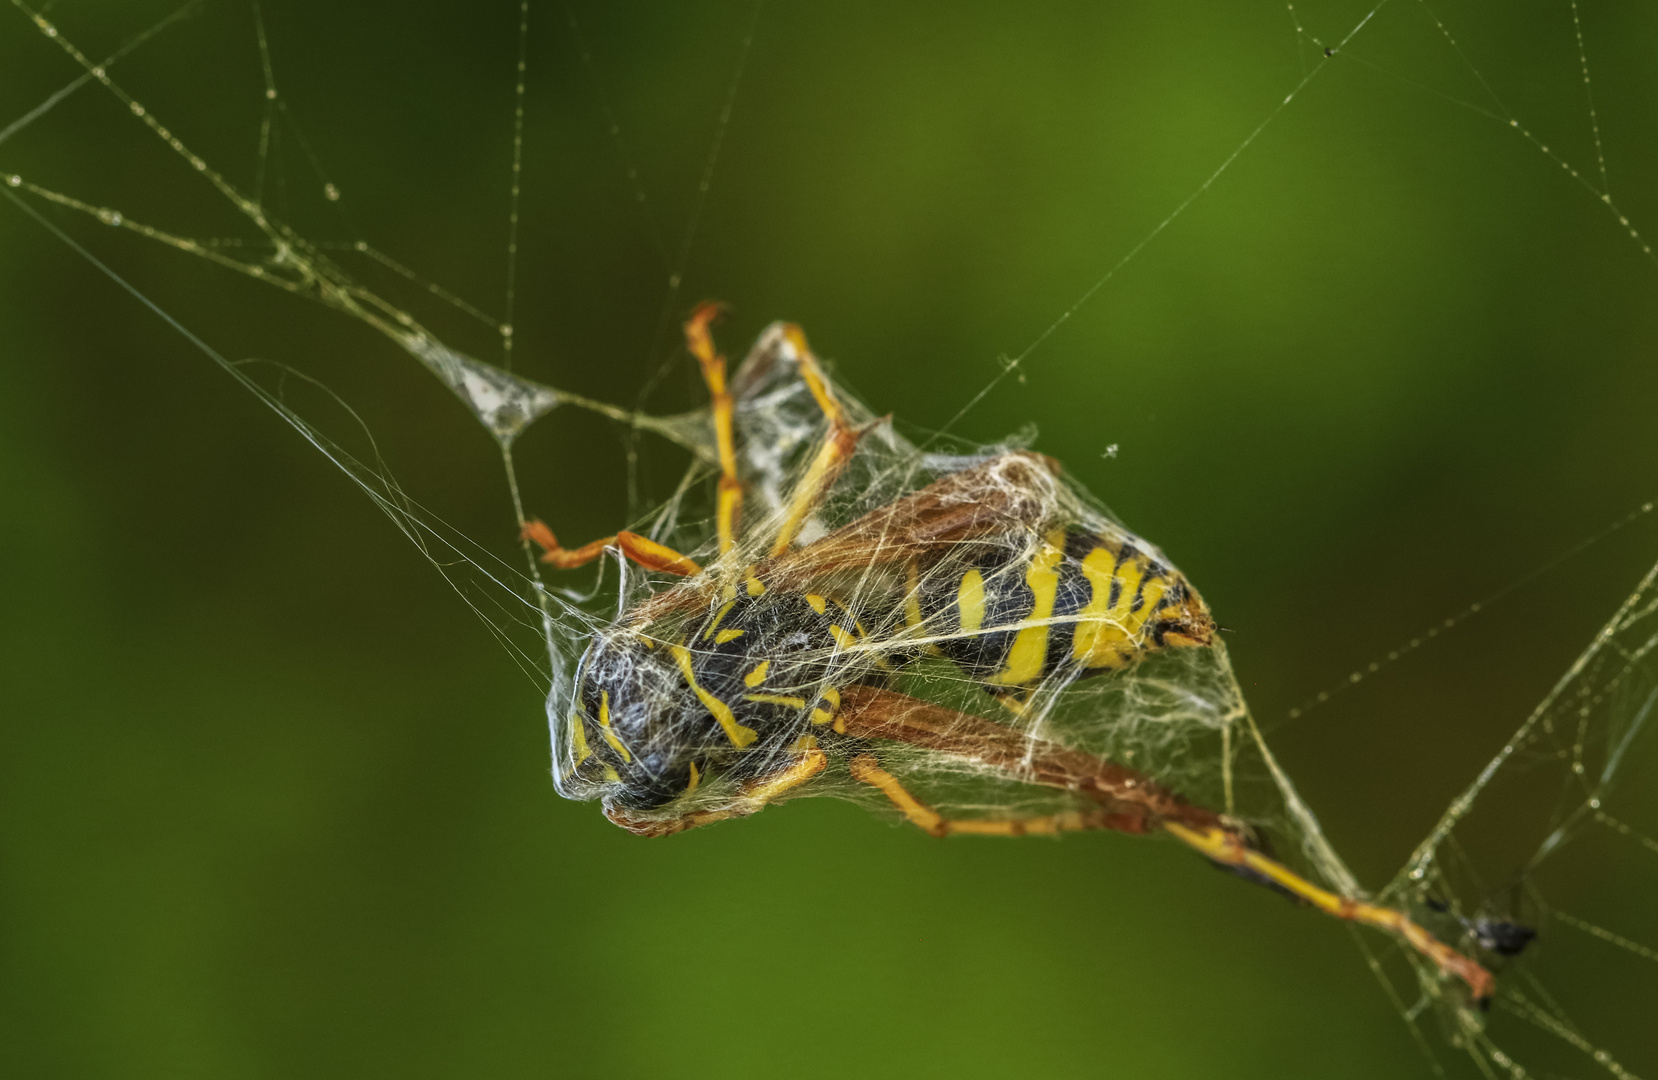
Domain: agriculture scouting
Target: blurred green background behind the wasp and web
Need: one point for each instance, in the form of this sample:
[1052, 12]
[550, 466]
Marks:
[278, 805]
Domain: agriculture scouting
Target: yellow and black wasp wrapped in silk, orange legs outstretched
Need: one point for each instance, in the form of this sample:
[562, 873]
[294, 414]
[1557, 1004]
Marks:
[793, 659]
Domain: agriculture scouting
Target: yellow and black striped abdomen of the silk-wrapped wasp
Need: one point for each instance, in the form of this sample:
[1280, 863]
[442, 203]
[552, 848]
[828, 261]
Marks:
[1016, 613]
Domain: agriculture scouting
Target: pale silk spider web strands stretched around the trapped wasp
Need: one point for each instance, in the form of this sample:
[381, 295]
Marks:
[1553, 810]
